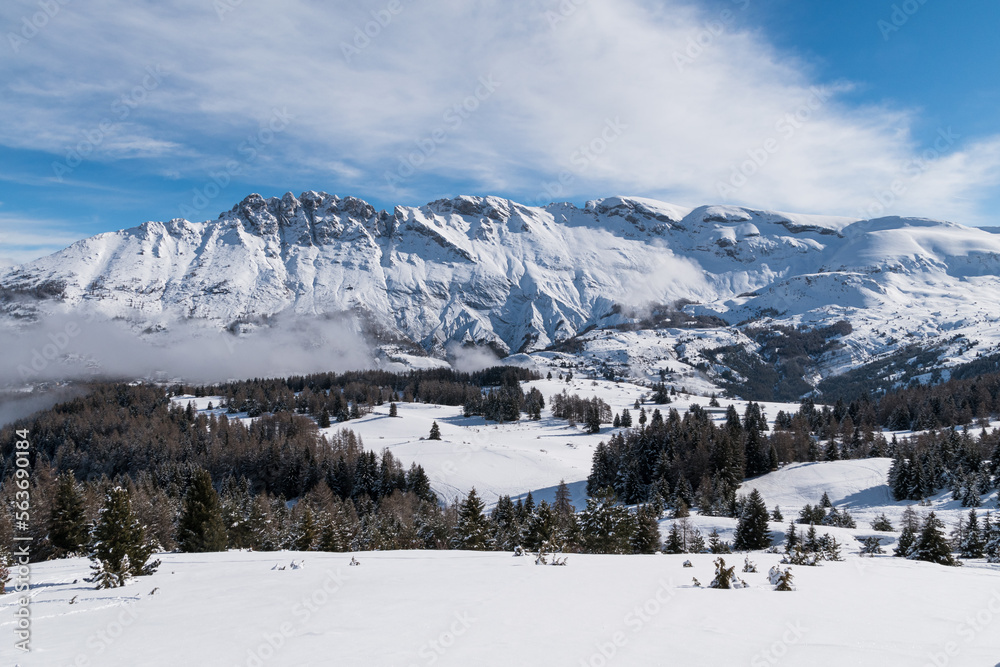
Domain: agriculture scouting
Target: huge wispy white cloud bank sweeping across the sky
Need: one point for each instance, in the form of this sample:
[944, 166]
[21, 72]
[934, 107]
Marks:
[684, 129]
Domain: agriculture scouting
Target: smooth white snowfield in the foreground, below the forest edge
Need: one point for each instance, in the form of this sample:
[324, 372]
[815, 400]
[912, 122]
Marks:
[473, 608]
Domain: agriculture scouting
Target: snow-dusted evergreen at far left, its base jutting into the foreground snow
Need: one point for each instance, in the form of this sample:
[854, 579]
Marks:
[120, 548]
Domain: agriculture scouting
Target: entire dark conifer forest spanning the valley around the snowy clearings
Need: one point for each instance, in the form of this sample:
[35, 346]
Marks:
[124, 471]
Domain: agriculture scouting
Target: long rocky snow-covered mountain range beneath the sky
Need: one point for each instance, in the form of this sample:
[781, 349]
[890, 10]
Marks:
[489, 271]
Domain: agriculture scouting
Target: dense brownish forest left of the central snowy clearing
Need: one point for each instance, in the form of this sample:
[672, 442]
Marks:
[159, 453]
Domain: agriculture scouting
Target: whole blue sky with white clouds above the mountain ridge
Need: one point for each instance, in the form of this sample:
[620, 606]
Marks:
[119, 112]
